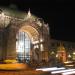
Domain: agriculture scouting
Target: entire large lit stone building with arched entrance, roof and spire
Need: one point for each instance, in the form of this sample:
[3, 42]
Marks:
[23, 36]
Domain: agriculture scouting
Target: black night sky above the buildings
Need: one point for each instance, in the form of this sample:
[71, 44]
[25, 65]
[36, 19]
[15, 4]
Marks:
[59, 14]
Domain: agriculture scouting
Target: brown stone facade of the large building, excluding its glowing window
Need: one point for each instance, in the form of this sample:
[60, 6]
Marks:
[38, 30]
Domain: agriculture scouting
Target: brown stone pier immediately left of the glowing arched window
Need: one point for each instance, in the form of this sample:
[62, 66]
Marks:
[11, 43]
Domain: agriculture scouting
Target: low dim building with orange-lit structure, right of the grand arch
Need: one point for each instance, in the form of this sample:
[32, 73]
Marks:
[63, 49]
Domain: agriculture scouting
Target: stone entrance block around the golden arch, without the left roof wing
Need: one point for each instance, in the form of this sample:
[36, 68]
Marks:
[27, 39]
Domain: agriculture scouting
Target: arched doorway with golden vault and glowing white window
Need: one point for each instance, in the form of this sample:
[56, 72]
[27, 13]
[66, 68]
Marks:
[25, 38]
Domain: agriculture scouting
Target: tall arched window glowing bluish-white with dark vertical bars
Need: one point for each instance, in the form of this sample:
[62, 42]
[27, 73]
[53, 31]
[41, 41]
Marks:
[23, 46]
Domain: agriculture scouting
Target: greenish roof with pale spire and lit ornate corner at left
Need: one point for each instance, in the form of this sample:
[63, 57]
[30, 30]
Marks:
[7, 14]
